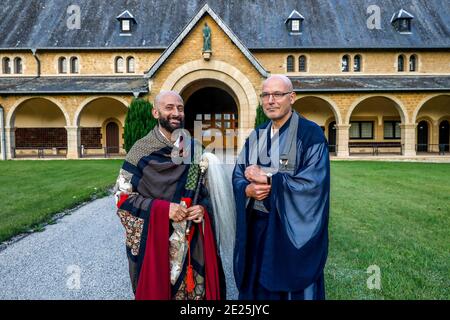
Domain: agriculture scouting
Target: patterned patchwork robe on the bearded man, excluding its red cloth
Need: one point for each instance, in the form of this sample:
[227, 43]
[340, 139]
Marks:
[149, 174]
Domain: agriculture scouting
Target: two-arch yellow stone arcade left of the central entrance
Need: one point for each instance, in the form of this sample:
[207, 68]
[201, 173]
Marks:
[45, 127]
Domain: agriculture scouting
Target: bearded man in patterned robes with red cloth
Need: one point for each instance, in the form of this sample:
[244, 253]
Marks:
[168, 258]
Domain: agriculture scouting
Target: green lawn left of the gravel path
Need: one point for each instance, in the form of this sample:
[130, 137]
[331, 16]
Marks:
[32, 191]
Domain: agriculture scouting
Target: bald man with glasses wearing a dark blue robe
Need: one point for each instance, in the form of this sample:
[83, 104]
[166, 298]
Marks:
[281, 186]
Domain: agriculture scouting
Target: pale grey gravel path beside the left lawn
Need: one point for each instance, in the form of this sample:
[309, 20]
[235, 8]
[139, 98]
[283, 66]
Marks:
[82, 256]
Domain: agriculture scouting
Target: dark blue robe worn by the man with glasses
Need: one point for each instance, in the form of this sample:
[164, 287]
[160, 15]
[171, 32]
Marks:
[281, 254]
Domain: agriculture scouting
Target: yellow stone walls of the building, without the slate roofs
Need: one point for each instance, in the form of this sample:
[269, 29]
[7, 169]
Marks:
[85, 117]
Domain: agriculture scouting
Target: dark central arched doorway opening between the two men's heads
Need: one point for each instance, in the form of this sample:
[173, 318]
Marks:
[217, 111]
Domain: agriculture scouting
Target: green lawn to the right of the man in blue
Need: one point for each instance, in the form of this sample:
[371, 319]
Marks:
[395, 216]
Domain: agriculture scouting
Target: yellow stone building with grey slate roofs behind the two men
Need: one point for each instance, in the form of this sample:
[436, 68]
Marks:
[375, 75]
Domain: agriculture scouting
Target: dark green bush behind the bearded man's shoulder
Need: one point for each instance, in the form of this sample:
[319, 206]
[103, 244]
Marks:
[138, 123]
